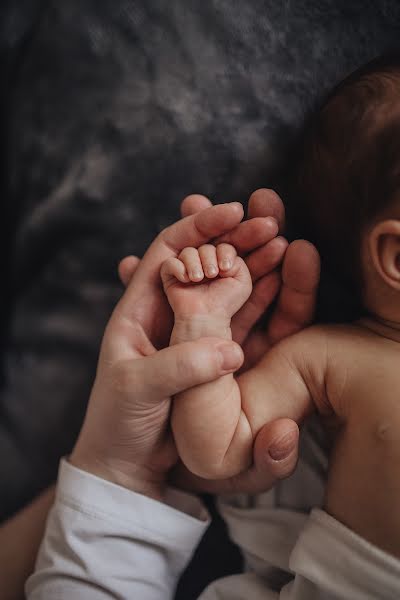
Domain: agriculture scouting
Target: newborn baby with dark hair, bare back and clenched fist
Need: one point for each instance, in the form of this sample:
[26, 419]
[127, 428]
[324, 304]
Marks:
[347, 194]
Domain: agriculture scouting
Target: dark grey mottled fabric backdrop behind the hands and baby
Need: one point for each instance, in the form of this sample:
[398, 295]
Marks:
[111, 112]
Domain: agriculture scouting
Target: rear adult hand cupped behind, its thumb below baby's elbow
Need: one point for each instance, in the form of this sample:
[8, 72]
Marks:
[295, 287]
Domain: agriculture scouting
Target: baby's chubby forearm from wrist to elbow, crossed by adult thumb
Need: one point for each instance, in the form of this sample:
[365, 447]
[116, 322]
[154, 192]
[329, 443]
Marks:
[211, 432]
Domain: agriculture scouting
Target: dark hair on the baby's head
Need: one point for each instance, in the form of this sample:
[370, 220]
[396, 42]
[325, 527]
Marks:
[348, 167]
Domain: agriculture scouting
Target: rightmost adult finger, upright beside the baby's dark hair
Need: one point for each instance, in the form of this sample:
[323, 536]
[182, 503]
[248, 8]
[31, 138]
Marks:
[297, 299]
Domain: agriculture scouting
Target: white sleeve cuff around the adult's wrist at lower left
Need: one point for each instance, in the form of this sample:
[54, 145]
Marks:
[103, 541]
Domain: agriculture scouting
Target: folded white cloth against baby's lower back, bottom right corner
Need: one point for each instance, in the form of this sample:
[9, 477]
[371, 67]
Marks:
[332, 562]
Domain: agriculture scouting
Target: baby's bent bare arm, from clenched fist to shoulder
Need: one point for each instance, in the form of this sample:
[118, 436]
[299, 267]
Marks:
[215, 424]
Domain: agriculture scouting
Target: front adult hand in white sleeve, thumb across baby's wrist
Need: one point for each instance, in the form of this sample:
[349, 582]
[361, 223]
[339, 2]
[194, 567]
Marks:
[125, 437]
